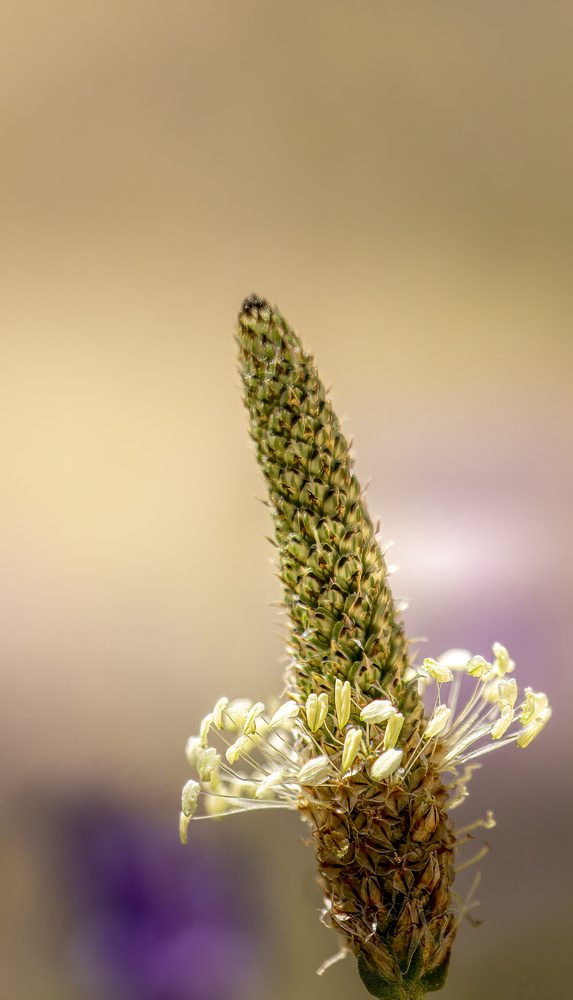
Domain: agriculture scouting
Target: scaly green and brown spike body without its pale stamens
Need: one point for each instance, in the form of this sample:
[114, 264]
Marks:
[384, 849]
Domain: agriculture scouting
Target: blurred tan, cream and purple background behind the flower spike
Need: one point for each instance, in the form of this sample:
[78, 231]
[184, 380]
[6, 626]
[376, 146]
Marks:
[397, 178]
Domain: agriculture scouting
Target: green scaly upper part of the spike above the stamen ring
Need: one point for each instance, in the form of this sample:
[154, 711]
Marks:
[332, 569]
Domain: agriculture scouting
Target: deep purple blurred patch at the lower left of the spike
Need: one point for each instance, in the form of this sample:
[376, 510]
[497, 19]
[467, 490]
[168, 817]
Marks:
[152, 921]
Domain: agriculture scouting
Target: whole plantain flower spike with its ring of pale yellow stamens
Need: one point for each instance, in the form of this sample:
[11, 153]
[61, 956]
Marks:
[375, 793]
